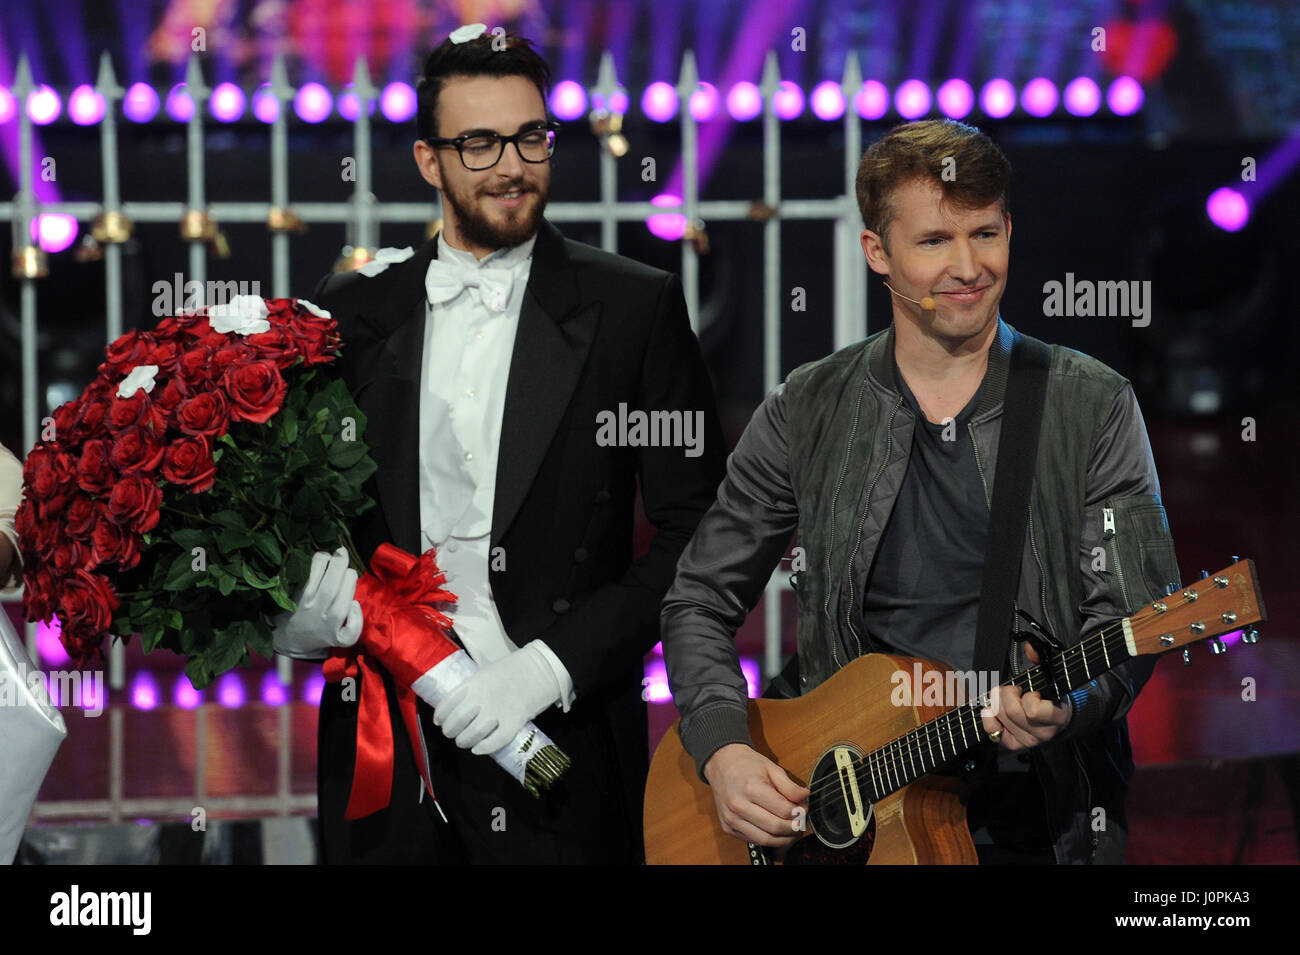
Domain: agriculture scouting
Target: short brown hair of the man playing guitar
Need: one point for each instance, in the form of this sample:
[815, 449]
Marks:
[916, 151]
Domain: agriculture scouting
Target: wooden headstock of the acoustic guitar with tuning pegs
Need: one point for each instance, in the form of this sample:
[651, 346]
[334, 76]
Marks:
[1216, 605]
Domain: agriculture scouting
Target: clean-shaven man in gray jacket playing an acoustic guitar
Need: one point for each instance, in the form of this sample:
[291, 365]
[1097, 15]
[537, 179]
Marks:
[886, 458]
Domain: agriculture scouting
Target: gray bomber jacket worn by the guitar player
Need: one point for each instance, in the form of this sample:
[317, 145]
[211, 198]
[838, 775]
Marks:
[826, 454]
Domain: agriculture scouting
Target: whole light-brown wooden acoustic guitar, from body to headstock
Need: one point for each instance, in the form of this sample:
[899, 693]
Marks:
[869, 753]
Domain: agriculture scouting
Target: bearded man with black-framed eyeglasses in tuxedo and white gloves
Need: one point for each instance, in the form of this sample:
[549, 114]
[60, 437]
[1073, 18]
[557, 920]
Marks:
[483, 362]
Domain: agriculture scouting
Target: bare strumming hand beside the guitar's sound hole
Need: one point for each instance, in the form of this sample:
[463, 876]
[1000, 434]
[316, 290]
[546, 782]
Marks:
[756, 798]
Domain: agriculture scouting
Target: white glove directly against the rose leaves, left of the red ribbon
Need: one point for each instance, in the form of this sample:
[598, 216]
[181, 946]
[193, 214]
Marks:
[327, 617]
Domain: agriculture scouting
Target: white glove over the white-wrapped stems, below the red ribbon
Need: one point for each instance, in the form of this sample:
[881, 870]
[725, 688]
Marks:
[487, 711]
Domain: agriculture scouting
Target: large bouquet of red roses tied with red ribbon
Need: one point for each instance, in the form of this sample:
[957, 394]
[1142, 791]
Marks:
[187, 490]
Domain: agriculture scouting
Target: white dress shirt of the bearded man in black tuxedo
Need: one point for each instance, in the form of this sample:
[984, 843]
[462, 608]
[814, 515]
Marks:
[467, 354]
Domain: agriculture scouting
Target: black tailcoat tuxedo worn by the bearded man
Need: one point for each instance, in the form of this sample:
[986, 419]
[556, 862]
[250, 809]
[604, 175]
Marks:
[595, 331]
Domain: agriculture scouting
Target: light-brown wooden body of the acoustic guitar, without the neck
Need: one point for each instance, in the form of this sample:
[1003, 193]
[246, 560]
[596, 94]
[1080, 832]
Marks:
[924, 823]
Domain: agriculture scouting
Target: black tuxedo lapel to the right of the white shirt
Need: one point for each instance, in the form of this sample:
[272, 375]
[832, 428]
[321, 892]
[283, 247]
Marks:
[554, 337]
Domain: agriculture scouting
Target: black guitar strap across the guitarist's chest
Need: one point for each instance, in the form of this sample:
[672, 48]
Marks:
[1013, 479]
